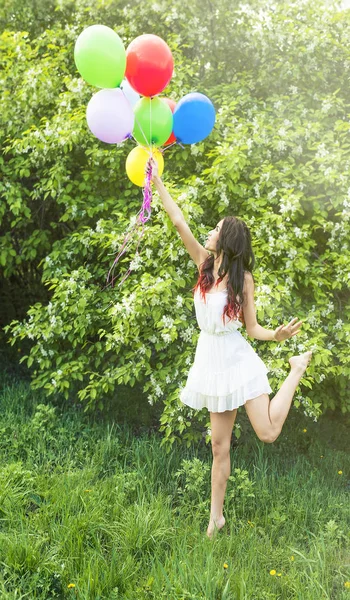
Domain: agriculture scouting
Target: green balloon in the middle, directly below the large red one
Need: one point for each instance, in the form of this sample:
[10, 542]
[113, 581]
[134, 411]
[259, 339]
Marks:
[153, 121]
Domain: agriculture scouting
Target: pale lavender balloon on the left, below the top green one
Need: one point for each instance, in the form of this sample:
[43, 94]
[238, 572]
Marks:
[109, 116]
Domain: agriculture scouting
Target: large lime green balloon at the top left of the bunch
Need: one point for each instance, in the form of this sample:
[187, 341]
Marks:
[100, 56]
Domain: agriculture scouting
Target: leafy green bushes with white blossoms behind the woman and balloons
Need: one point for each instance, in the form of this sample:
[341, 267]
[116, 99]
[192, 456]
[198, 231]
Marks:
[278, 158]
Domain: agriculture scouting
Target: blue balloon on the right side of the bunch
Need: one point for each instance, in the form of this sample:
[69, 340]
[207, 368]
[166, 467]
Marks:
[194, 118]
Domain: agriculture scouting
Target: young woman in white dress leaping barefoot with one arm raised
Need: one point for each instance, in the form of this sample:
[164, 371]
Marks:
[227, 372]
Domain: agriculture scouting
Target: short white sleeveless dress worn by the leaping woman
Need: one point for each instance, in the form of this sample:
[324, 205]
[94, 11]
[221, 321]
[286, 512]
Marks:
[226, 371]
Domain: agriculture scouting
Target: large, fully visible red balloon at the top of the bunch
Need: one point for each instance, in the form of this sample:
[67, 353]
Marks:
[149, 64]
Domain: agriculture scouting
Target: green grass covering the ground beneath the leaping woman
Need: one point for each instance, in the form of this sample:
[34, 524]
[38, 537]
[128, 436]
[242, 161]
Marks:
[89, 510]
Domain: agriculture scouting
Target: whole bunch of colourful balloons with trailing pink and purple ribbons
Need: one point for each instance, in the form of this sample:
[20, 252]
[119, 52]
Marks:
[129, 106]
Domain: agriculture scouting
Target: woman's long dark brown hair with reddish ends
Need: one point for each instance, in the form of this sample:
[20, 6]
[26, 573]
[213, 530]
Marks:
[238, 256]
